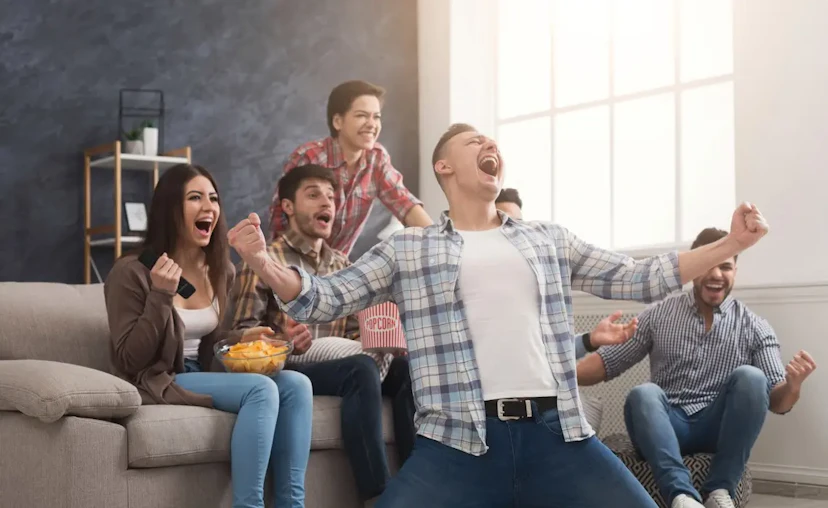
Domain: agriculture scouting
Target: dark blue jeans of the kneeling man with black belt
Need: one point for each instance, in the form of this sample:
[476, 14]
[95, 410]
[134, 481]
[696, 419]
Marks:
[528, 465]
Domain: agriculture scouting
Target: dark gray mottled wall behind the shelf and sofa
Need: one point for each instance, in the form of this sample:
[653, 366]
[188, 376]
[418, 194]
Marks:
[244, 83]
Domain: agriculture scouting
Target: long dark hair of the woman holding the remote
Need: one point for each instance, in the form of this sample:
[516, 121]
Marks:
[166, 222]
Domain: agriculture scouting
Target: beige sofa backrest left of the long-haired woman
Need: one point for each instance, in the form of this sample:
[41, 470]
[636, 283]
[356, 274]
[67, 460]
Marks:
[51, 321]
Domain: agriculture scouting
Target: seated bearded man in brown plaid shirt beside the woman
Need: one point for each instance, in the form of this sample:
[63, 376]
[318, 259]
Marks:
[307, 194]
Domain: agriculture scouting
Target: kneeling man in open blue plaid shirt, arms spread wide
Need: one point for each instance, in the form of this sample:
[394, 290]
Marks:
[485, 303]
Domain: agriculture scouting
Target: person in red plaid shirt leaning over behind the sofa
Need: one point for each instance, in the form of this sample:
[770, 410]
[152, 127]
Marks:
[361, 165]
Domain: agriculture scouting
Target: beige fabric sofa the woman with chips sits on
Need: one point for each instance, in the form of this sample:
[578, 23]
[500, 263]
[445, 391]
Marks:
[72, 435]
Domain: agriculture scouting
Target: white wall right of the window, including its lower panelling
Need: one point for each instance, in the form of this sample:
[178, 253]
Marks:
[781, 95]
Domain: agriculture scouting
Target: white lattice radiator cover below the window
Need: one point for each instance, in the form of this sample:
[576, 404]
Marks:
[614, 393]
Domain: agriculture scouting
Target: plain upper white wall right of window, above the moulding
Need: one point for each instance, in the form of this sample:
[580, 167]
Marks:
[781, 96]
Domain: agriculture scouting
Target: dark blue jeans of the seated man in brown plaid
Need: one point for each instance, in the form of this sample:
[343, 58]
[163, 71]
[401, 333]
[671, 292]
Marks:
[356, 379]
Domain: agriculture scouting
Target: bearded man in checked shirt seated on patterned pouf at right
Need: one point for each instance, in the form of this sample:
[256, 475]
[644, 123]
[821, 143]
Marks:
[715, 369]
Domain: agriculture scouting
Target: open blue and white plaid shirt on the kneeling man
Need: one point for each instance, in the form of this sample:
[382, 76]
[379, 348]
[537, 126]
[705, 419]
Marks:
[418, 269]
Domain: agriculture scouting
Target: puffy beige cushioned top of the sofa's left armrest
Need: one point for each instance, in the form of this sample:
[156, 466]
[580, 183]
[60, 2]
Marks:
[50, 390]
